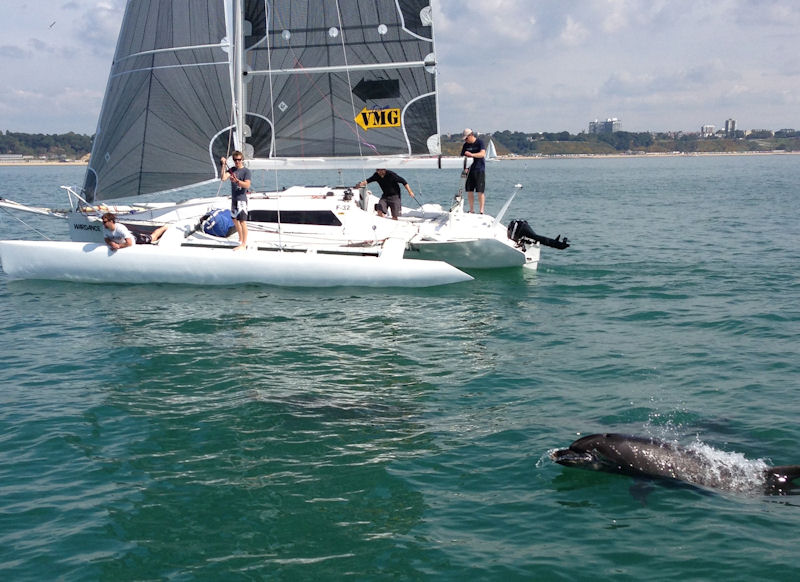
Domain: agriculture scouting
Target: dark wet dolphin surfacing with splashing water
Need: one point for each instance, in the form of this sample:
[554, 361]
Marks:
[701, 466]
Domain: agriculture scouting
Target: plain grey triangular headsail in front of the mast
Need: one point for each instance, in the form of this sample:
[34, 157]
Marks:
[168, 98]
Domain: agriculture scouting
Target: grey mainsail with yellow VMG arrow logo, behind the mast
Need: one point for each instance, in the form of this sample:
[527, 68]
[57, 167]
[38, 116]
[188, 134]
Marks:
[320, 71]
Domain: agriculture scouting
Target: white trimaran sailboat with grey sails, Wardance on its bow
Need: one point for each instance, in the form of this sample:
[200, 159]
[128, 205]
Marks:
[330, 84]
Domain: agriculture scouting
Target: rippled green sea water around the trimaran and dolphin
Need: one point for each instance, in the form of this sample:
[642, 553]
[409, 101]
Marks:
[255, 433]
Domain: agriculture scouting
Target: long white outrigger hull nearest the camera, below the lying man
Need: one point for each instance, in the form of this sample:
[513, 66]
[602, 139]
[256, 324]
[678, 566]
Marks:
[96, 263]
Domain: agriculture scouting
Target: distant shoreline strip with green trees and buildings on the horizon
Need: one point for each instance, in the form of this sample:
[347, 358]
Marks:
[75, 146]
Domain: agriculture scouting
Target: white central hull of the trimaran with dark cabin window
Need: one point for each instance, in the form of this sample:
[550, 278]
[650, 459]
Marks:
[314, 217]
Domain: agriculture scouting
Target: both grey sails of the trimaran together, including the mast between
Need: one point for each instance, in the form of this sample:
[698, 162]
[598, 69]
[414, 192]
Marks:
[279, 79]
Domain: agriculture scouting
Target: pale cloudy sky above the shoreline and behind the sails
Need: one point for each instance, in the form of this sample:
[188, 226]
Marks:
[521, 65]
